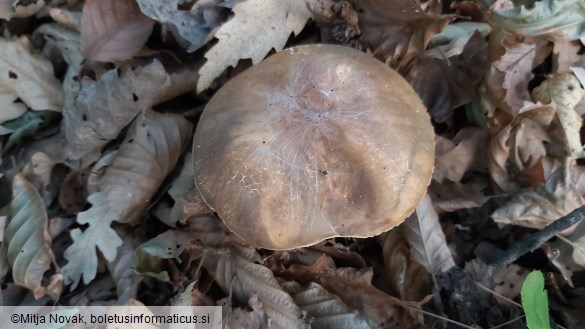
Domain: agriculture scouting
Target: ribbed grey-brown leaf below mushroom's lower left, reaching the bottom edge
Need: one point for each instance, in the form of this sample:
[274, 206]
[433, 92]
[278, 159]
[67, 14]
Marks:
[240, 274]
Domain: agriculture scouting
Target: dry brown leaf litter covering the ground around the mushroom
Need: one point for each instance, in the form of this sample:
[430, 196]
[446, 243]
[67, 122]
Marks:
[97, 201]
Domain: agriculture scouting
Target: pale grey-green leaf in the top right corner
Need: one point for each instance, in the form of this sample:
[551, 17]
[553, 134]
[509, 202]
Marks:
[551, 18]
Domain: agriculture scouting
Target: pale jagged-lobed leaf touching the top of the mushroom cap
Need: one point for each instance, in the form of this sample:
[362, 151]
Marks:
[256, 28]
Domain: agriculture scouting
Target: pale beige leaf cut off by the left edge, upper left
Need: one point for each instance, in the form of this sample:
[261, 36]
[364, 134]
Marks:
[28, 77]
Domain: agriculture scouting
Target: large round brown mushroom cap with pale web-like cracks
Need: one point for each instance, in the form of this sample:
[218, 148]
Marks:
[316, 141]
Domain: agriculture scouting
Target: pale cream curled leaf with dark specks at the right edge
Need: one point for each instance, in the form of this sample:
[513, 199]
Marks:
[565, 92]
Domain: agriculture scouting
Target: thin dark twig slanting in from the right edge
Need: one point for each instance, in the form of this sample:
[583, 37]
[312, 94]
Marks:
[536, 240]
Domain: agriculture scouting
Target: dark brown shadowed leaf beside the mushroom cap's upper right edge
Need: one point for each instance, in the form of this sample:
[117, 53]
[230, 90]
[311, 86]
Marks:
[458, 73]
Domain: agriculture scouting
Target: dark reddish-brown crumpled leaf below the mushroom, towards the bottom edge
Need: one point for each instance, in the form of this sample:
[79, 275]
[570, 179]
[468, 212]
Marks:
[354, 288]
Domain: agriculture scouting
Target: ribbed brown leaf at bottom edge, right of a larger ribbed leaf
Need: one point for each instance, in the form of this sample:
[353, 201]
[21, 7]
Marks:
[327, 309]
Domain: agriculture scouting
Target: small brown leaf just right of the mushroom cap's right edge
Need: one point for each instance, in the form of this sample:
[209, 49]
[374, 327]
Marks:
[454, 158]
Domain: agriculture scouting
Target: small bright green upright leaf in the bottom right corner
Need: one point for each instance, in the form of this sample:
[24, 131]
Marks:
[535, 301]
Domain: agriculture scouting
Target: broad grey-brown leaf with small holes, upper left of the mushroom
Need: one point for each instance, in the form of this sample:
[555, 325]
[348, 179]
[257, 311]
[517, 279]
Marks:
[104, 107]
